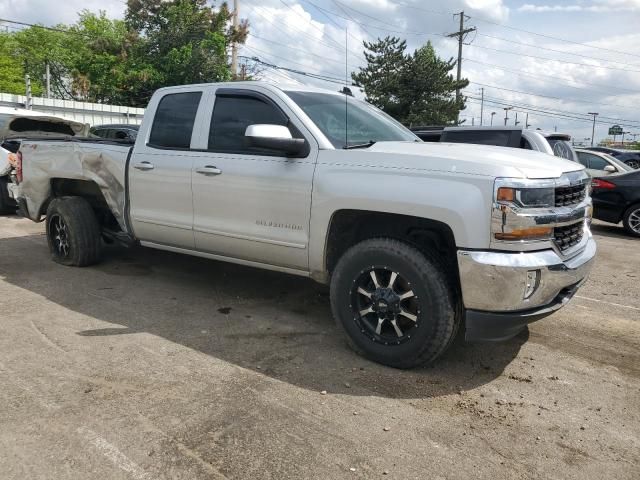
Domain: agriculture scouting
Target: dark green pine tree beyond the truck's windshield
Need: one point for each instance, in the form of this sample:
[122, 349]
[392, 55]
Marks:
[416, 89]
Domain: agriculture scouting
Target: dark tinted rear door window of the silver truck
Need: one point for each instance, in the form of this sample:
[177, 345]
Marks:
[173, 123]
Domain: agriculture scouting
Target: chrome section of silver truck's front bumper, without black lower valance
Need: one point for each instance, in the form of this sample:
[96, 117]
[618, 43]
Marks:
[497, 281]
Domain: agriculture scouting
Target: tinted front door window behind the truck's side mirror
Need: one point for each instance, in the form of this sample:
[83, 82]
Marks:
[231, 117]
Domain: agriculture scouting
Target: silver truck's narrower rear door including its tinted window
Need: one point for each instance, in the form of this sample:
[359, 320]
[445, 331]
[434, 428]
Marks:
[160, 171]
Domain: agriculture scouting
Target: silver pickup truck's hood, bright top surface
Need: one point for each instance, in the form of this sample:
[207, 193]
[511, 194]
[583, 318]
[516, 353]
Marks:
[472, 159]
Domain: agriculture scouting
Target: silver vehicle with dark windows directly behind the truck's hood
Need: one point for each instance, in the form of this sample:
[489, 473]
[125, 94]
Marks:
[553, 143]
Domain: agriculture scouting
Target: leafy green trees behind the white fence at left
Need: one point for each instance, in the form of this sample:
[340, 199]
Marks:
[98, 59]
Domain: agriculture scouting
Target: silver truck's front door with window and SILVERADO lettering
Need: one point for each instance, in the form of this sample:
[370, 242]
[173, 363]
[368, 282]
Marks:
[250, 204]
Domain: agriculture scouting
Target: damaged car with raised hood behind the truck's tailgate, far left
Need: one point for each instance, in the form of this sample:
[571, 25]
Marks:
[17, 124]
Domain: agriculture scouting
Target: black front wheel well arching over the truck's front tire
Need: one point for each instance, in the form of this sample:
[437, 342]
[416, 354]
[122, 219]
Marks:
[349, 227]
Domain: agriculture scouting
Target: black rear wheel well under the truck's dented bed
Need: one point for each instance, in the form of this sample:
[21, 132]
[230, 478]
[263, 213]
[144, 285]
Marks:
[90, 191]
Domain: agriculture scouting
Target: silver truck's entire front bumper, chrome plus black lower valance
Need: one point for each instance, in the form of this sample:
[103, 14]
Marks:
[494, 286]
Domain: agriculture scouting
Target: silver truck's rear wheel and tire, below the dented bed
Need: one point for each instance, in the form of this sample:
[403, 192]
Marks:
[73, 232]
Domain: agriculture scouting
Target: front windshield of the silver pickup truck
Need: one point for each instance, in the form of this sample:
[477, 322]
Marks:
[346, 121]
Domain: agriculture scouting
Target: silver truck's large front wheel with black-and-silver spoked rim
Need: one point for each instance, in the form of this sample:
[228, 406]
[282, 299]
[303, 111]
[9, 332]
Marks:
[374, 335]
